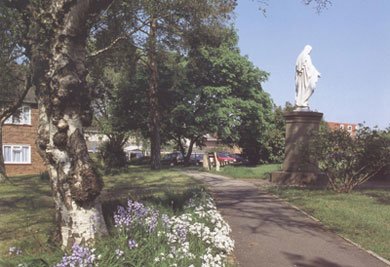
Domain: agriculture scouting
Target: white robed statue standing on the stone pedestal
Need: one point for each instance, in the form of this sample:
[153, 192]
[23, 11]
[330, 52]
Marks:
[306, 77]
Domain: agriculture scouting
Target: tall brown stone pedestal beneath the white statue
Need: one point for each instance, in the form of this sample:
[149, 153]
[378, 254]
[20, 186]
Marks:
[294, 170]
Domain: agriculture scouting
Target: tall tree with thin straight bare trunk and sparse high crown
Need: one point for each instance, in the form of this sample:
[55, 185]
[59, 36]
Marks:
[165, 25]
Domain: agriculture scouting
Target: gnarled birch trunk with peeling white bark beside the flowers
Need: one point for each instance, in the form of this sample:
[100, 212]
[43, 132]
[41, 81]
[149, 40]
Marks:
[59, 73]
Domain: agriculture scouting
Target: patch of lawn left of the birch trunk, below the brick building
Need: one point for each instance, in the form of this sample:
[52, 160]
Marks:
[27, 212]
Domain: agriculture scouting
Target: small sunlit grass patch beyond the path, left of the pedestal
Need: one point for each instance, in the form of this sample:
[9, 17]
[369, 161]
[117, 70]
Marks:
[245, 172]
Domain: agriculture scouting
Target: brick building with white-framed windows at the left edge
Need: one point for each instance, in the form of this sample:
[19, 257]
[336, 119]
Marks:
[19, 134]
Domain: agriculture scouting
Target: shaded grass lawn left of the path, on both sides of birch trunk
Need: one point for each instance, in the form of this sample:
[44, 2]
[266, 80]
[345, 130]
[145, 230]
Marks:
[27, 209]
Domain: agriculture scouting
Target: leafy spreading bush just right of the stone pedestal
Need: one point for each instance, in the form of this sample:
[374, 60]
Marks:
[349, 161]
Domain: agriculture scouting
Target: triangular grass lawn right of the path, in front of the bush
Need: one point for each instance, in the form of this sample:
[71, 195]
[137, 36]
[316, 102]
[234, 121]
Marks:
[361, 216]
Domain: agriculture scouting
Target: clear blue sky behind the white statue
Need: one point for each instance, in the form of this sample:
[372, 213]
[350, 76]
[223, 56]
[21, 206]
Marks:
[351, 50]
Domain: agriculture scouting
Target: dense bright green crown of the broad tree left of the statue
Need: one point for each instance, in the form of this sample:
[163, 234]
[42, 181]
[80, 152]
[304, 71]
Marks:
[223, 96]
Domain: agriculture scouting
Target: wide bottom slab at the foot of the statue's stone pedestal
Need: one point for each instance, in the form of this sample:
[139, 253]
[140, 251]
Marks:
[299, 178]
